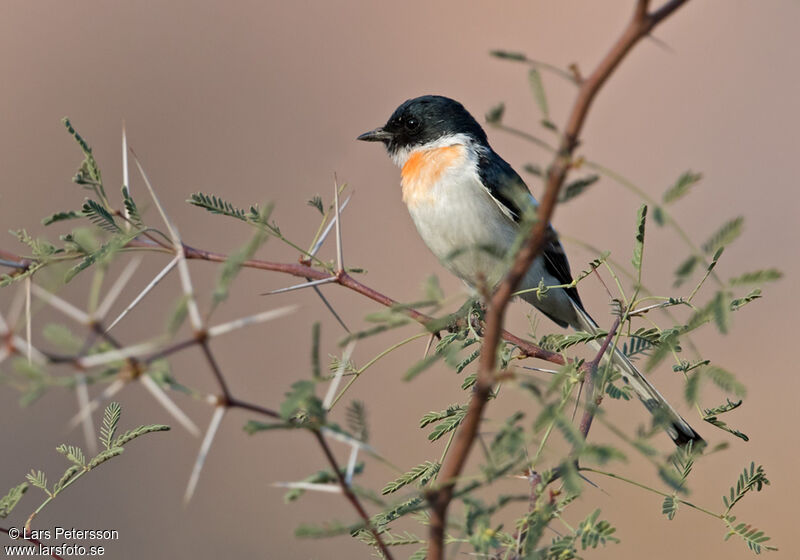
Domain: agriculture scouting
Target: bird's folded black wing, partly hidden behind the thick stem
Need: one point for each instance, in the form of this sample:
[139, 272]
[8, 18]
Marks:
[511, 194]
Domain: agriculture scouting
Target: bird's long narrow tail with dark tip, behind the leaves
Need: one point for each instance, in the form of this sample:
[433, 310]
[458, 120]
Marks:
[678, 429]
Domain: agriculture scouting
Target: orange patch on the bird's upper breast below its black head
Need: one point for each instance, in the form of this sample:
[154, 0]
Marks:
[424, 168]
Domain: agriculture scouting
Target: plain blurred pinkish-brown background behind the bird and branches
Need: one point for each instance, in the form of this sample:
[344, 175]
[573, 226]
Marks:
[261, 101]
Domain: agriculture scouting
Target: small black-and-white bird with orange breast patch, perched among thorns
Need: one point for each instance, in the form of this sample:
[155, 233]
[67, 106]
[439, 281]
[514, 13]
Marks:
[468, 203]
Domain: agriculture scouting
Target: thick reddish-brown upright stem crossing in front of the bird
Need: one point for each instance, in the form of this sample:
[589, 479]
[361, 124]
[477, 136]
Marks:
[639, 26]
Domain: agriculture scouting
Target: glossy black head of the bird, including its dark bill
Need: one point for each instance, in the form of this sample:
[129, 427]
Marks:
[425, 119]
